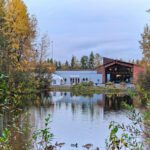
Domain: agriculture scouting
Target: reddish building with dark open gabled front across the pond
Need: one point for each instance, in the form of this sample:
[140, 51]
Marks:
[119, 71]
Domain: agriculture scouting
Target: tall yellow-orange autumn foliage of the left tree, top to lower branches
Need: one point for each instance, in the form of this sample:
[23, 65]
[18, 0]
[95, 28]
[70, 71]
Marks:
[19, 31]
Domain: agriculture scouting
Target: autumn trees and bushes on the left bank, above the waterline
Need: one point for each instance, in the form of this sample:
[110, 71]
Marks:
[21, 58]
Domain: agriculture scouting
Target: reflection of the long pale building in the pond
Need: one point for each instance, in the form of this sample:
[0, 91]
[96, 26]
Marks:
[93, 106]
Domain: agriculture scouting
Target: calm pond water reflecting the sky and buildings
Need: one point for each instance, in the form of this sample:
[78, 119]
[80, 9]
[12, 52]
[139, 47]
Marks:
[75, 119]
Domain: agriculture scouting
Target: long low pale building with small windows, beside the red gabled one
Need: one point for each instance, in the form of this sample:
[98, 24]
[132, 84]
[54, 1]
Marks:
[71, 77]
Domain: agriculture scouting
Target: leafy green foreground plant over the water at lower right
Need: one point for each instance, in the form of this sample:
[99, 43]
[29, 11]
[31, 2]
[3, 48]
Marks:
[124, 136]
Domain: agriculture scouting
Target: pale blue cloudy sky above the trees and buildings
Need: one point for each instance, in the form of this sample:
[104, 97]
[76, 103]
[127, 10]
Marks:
[111, 28]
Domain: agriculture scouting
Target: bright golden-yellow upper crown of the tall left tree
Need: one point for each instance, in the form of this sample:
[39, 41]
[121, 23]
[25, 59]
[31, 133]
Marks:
[17, 17]
